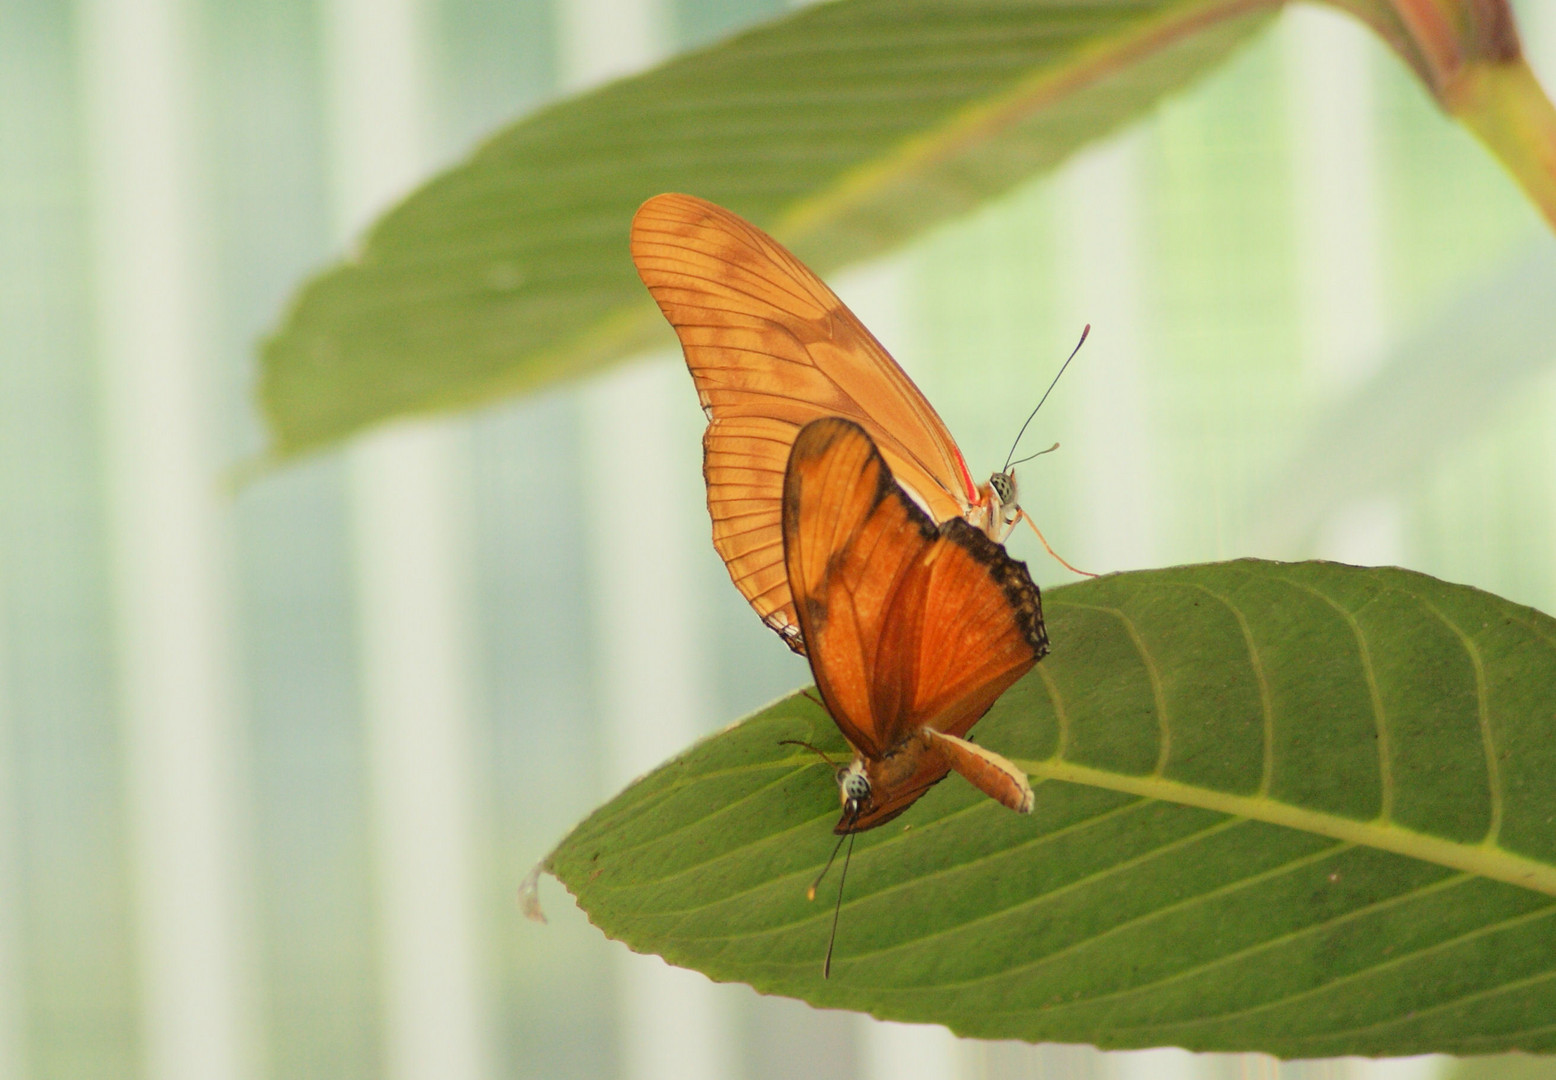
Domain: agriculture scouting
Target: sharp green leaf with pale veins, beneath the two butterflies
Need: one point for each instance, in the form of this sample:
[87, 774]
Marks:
[1298, 808]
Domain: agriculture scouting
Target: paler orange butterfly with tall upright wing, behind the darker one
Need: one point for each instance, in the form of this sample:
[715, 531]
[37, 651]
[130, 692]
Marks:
[771, 348]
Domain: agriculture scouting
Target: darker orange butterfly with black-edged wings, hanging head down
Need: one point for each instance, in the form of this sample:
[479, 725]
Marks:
[913, 629]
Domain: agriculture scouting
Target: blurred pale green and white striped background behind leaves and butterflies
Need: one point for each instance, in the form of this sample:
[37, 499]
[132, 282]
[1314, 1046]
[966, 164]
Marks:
[275, 762]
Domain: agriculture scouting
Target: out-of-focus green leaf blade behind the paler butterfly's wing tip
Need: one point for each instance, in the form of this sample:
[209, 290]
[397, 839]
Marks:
[844, 130]
